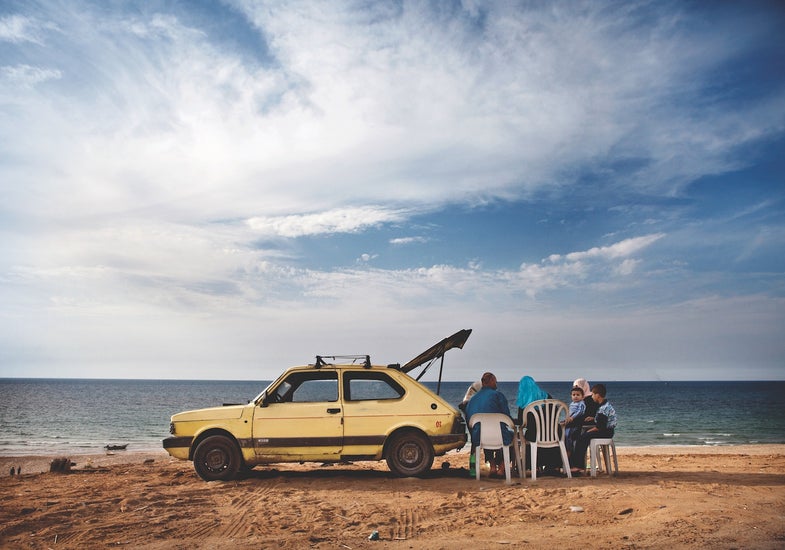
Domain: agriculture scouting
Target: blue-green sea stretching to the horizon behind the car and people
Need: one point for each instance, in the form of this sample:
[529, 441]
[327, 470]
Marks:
[56, 416]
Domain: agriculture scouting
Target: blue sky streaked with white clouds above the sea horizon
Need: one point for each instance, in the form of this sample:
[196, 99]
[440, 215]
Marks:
[224, 189]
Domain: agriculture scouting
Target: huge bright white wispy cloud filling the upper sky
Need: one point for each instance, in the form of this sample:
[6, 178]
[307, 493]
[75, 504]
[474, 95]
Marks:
[427, 110]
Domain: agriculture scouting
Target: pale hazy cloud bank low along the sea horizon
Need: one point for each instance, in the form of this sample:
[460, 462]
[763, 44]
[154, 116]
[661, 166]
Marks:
[255, 337]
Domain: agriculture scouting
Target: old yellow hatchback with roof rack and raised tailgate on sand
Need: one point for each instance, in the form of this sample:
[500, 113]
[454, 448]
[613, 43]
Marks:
[326, 412]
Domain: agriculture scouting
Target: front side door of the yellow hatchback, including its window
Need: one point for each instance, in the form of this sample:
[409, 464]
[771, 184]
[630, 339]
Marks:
[300, 419]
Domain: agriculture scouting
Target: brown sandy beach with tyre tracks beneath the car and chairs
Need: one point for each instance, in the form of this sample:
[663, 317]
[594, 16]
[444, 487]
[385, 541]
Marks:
[663, 497]
